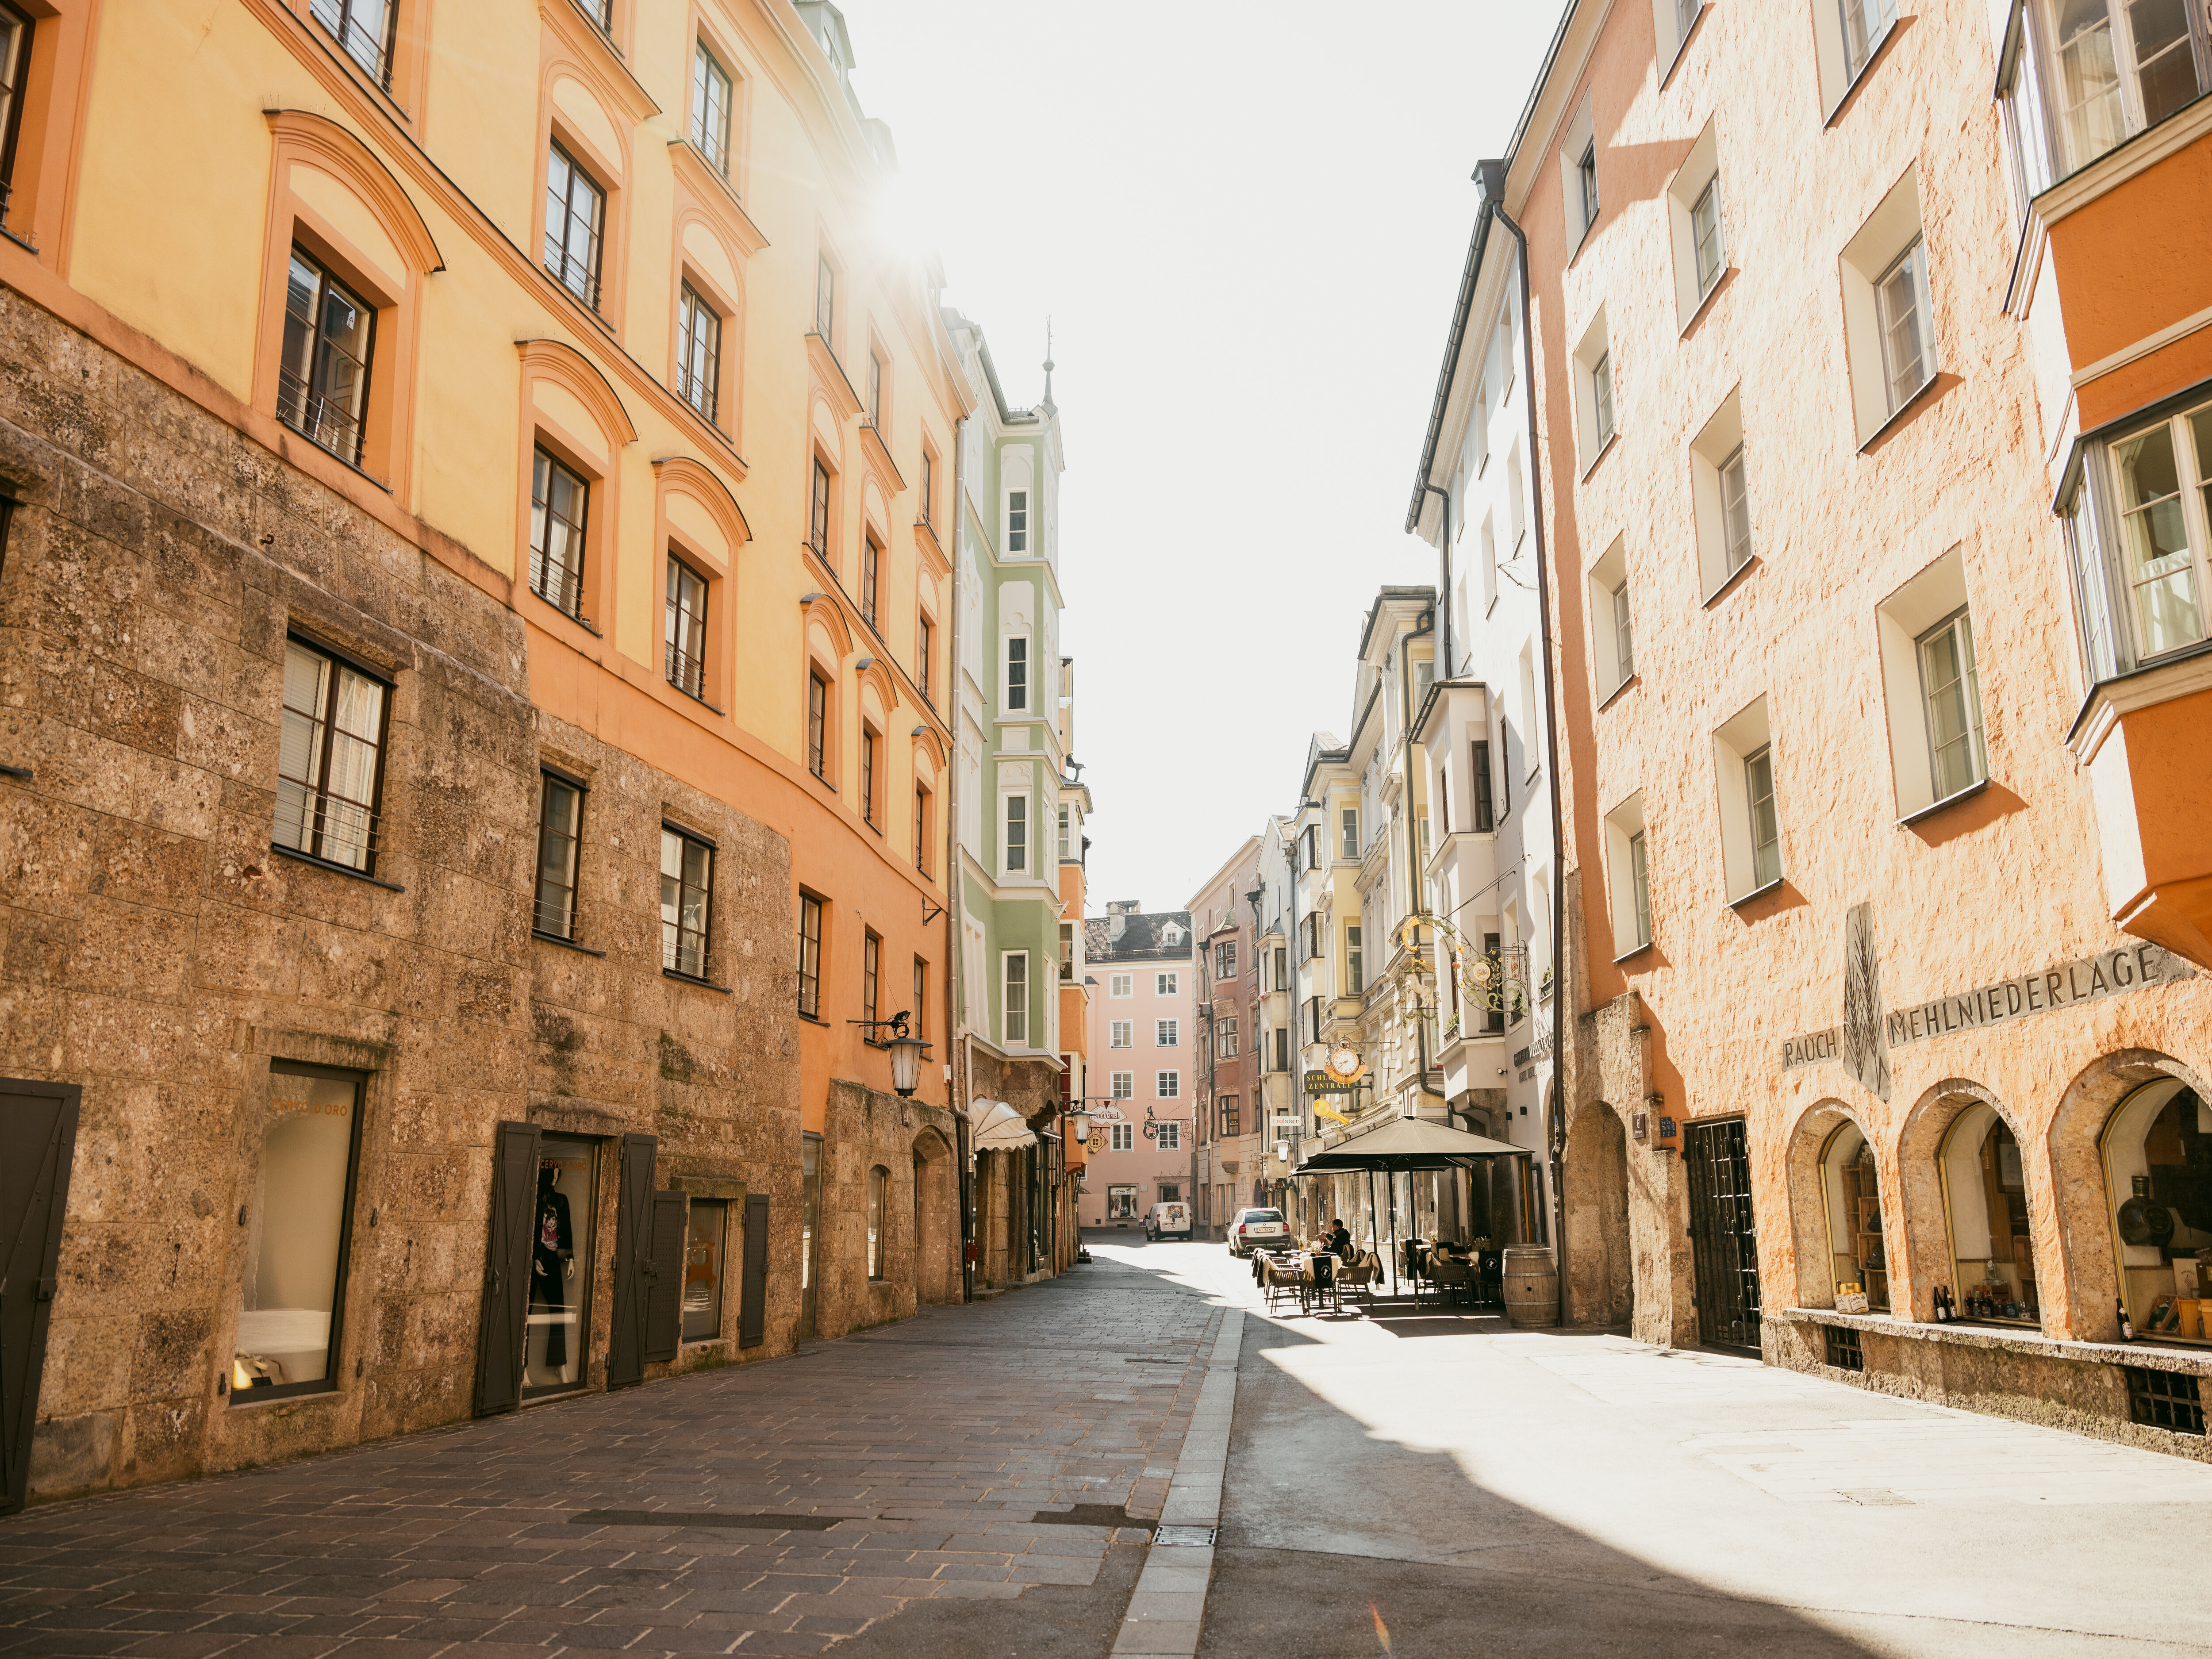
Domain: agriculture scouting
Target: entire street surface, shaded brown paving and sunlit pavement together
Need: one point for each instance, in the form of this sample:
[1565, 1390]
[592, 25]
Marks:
[983, 1481]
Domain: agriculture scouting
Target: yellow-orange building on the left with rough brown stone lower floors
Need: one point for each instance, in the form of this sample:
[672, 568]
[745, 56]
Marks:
[521, 629]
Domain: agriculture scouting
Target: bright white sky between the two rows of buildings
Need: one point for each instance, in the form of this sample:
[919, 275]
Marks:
[1246, 225]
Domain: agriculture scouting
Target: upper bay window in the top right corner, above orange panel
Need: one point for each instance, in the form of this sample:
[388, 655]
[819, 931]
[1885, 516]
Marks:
[2120, 67]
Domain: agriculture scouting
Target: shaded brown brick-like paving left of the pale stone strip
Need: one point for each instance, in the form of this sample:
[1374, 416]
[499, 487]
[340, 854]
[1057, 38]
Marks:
[917, 1454]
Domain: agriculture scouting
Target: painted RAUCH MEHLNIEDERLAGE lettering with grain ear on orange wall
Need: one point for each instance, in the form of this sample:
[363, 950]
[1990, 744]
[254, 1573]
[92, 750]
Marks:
[1870, 1030]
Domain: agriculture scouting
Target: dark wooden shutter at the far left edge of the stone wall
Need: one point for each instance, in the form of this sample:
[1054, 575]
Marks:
[39, 1134]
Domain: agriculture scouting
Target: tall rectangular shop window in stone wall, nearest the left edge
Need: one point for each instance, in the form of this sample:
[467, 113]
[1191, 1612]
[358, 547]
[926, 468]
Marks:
[298, 1229]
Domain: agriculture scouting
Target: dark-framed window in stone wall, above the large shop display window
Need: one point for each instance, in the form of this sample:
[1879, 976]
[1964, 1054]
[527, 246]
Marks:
[331, 760]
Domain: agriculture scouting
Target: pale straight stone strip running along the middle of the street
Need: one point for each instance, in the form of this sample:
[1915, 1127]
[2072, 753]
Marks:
[1169, 1603]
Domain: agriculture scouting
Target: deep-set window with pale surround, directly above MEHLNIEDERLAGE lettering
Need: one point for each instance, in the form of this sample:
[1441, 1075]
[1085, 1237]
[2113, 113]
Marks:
[1930, 685]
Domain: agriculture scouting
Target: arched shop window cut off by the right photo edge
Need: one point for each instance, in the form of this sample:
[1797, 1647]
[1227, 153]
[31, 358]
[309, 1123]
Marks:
[2158, 1180]
